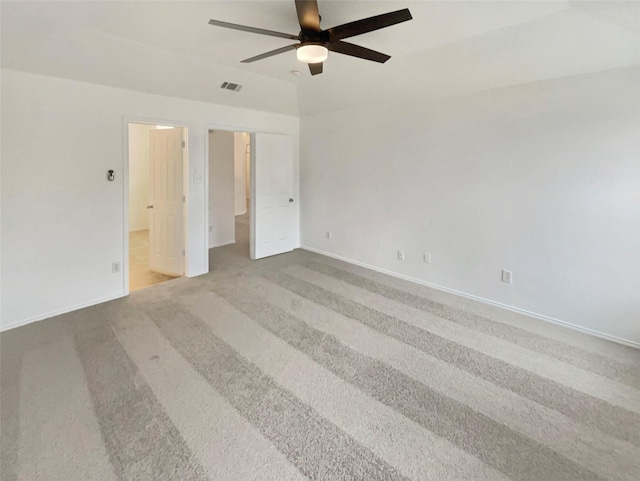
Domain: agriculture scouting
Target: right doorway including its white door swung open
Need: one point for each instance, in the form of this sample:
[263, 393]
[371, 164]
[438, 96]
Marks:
[251, 202]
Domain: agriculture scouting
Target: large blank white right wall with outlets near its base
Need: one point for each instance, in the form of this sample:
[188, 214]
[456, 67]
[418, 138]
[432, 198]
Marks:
[541, 179]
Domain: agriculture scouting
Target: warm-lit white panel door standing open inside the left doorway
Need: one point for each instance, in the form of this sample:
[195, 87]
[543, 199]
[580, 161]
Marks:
[166, 206]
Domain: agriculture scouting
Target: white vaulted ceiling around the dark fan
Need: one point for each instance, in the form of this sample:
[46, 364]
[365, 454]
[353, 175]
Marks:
[449, 48]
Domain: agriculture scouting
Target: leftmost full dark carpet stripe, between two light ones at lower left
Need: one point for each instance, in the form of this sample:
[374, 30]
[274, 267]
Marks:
[141, 439]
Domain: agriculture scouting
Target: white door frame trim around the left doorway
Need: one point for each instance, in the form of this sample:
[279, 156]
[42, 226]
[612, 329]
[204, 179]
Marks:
[126, 120]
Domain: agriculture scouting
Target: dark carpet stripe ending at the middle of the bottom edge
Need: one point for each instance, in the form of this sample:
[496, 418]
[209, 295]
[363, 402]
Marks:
[315, 446]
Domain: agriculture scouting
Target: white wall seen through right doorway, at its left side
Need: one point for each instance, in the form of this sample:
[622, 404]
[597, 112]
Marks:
[222, 221]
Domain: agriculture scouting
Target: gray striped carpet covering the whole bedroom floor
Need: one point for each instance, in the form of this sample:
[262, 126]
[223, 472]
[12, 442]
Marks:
[303, 367]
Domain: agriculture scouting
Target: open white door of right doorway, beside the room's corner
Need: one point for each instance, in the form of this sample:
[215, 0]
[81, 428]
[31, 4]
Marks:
[273, 203]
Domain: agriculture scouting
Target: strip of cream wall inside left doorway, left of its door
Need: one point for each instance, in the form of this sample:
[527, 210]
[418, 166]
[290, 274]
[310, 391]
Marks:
[139, 176]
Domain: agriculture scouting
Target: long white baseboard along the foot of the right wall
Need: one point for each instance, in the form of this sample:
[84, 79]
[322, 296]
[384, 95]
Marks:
[535, 315]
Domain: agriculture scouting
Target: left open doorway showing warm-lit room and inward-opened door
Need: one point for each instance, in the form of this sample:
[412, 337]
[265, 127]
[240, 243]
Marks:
[156, 204]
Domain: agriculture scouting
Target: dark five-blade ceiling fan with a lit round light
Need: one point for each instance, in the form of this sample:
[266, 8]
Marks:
[316, 43]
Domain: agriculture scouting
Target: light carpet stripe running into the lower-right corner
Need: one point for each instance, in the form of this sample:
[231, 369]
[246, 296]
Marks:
[586, 445]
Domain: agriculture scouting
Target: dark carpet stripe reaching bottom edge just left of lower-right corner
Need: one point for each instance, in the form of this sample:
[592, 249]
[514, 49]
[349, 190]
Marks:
[494, 443]
